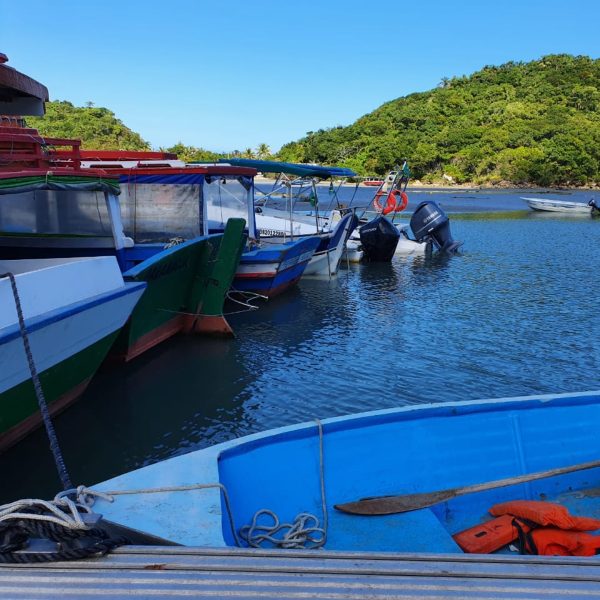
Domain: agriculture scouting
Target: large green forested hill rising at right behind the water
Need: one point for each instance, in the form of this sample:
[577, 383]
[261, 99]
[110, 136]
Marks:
[523, 123]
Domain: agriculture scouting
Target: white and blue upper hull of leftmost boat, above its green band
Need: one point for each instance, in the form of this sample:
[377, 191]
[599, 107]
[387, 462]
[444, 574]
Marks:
[98, 303]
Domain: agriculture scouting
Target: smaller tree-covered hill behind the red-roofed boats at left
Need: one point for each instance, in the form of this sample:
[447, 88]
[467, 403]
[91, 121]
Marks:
[97, 127]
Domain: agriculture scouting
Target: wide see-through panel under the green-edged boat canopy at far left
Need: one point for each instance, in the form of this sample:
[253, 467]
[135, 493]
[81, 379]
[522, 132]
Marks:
[55, 212]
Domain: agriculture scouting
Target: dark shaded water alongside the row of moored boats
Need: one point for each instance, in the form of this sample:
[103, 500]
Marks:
[186, 394]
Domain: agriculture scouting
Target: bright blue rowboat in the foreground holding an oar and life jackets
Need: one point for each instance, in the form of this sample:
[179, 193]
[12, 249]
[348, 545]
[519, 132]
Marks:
[407, 450]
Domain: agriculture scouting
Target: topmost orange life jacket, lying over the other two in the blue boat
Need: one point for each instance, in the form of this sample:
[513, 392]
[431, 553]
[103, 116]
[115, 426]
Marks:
[545, 514]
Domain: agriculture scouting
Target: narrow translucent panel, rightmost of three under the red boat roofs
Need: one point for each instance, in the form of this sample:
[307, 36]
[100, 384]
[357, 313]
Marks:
[227, 197]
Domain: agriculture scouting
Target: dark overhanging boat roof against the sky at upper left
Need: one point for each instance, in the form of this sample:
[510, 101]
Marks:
[20, 94]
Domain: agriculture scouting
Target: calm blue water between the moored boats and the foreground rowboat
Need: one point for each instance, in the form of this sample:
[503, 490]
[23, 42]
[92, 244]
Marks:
[517, 313]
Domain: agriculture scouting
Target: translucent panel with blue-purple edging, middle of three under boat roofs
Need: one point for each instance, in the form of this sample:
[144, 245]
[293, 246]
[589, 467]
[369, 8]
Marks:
[158, 212]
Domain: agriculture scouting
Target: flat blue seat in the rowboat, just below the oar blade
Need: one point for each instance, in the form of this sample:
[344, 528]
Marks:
[417, 531]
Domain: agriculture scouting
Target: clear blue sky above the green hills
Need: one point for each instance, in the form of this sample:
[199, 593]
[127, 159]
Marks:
[230, 75]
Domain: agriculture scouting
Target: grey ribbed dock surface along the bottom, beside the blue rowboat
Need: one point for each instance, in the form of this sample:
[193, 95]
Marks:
[168, 572]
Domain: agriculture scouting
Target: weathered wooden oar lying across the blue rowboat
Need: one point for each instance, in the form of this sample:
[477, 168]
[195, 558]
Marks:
[387, 505]
